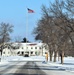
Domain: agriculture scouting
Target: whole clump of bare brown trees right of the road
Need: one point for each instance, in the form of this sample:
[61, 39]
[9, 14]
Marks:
[56, 27]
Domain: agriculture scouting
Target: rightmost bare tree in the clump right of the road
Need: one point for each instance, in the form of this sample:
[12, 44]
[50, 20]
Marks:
[64, 22]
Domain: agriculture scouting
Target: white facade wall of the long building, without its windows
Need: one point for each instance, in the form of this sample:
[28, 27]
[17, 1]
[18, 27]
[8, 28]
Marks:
[26, 47]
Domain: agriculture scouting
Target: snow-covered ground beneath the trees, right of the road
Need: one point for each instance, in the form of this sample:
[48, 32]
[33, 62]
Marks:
[68, 64]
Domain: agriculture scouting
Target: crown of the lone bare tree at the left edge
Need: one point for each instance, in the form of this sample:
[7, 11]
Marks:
[5, 30]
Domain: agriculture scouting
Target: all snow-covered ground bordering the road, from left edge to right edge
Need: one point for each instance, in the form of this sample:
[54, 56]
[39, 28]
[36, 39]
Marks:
[67, 66]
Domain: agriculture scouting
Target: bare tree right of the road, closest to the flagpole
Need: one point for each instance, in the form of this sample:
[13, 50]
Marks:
[44, 31]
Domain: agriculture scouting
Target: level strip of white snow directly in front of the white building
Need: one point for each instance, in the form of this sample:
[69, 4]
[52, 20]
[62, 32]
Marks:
[21, 58]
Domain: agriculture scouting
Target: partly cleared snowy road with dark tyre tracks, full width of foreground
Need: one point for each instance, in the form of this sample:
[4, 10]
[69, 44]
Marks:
[31, 68]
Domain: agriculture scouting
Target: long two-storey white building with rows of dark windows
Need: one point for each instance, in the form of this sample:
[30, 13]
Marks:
[25, 49]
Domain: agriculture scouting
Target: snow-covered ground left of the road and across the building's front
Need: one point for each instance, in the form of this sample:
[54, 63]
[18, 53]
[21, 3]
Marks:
[6, 60]
